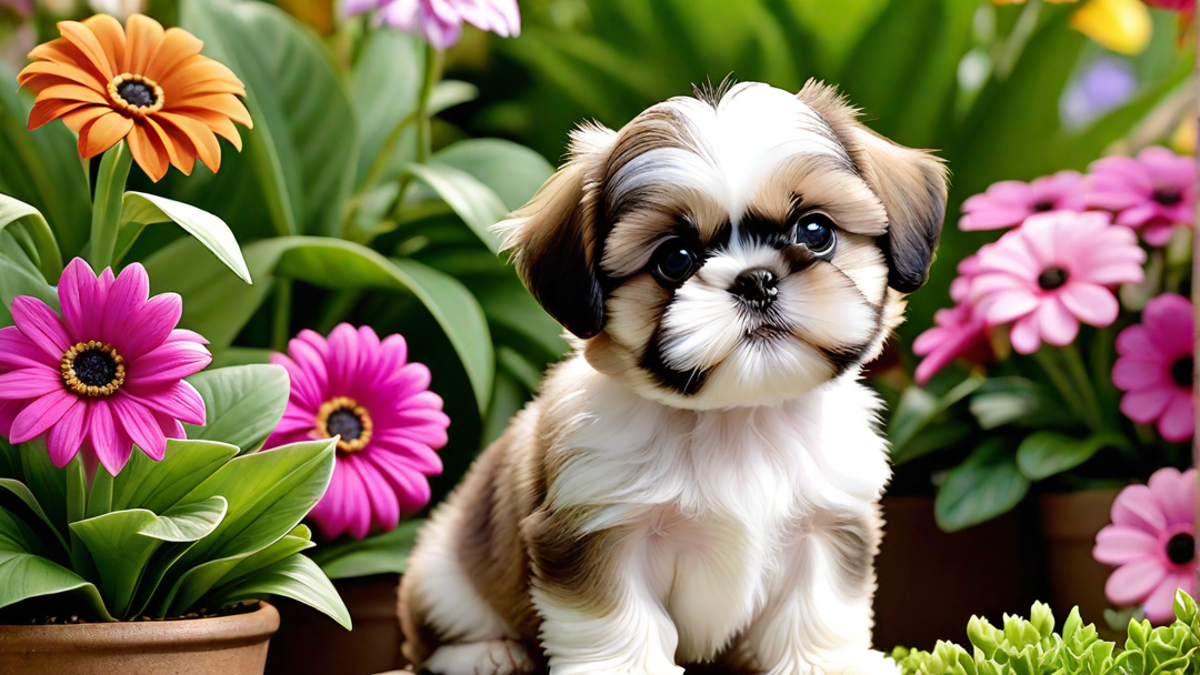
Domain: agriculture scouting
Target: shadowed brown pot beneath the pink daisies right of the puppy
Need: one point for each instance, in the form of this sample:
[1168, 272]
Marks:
[1070, 523]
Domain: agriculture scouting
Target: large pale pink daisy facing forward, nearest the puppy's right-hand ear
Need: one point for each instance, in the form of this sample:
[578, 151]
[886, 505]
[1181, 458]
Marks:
[1053, 273]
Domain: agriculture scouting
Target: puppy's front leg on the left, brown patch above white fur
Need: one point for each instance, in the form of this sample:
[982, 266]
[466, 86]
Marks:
[593, 590]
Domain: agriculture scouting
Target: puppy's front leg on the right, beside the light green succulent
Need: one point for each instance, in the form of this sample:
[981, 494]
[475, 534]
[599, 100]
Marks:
[820, 622]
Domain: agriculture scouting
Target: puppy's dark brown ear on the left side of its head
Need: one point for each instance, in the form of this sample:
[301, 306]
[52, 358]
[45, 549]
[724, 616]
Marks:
[554, 238]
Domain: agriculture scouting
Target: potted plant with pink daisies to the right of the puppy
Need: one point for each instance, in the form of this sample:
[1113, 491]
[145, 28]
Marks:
[1081, 354]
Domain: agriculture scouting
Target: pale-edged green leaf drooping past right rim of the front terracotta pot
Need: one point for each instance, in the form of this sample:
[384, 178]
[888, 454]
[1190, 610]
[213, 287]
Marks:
[295, 577]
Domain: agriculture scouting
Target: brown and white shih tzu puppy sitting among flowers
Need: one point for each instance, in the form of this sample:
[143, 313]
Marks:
[699, 482]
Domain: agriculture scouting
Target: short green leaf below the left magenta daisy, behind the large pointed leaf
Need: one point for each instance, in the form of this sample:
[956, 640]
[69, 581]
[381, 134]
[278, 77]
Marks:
[159, 486]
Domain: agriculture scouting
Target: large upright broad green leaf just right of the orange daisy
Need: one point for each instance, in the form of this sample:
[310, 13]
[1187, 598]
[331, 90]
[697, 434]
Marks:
[305, 144]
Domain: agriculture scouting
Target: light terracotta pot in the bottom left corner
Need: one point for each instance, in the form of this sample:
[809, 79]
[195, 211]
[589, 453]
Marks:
[230, 646]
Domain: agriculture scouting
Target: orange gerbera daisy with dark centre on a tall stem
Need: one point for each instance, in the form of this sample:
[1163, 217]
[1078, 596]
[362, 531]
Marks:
[149, 87]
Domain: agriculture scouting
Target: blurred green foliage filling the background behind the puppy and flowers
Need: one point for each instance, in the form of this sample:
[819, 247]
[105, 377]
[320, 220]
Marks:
[347, 213]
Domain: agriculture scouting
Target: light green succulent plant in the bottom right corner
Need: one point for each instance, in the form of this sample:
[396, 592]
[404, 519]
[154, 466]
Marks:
[1033, 648]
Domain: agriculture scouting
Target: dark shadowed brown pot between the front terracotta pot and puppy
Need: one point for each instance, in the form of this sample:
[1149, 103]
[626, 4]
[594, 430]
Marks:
[310, 643]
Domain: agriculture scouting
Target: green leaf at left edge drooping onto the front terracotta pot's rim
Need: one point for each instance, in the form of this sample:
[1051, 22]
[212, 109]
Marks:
[26, 576]
